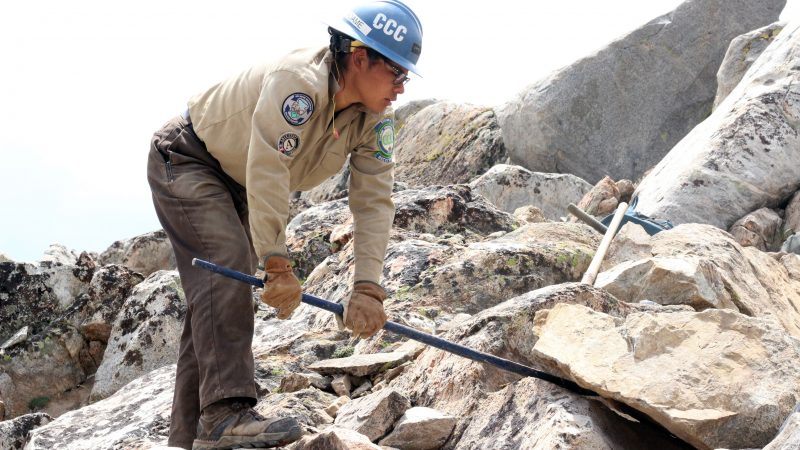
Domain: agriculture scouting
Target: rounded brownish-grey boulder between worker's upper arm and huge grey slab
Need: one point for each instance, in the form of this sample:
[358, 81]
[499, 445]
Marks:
[448, 143]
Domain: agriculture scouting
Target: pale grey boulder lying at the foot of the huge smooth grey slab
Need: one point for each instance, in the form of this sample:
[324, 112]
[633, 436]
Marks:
[510, 187]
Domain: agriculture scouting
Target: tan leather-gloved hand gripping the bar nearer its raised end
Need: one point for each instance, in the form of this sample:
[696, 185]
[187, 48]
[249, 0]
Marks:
[281, 287]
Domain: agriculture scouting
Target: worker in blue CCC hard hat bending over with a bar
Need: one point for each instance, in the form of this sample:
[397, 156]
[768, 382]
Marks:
[221, 175]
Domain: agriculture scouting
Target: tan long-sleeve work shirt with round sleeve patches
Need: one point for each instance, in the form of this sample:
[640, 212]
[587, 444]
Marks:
[271, 129]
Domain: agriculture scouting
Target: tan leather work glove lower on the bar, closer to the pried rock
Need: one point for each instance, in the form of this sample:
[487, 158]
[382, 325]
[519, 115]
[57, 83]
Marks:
[363, 310]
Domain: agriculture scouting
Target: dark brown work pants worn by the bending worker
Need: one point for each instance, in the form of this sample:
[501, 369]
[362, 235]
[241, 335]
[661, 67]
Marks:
[204, 213]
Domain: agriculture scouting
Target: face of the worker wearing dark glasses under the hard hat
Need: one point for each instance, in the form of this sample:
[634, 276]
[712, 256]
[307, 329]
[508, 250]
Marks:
[380, 82]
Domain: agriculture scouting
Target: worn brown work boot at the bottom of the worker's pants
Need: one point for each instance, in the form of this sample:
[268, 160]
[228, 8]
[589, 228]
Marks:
[231, 424]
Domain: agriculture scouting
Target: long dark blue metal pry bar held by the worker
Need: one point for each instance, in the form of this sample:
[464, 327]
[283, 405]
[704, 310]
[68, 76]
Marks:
[411, 333]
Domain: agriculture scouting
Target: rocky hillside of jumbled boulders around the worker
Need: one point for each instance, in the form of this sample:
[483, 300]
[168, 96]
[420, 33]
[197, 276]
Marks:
[689, 338]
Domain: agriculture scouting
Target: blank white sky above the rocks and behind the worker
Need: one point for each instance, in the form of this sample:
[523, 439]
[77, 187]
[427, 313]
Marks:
[84, 84]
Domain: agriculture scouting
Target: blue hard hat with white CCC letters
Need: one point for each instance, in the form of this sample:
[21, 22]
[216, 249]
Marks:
[386, 26]
